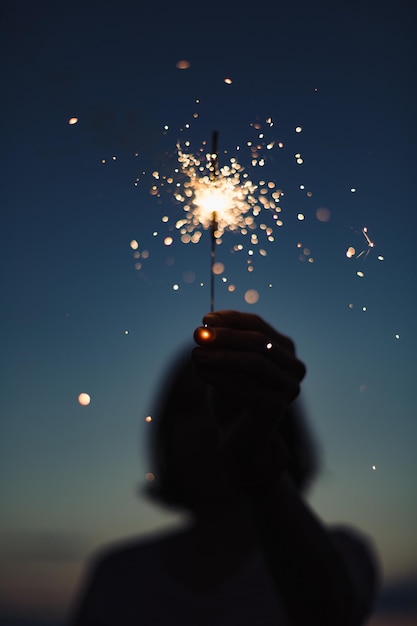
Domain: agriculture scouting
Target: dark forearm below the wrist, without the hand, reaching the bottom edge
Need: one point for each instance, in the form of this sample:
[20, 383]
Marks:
[309, 571]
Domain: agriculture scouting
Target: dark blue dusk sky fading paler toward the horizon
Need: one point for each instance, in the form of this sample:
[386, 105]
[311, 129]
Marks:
[78, 317]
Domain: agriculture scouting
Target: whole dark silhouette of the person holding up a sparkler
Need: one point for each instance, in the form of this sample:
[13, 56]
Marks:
[231, 446]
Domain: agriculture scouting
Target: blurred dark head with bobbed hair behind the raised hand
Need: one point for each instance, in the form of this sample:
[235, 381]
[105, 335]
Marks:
[183, 445]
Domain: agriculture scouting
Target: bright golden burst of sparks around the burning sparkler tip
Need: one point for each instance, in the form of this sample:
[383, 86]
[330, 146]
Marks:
[226, 197]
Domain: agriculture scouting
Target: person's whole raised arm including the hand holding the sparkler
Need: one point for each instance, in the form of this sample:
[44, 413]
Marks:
[325, 578]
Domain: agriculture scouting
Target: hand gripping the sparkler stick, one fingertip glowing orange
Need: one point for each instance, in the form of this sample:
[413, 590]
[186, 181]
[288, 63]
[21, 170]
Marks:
[254, 374]
